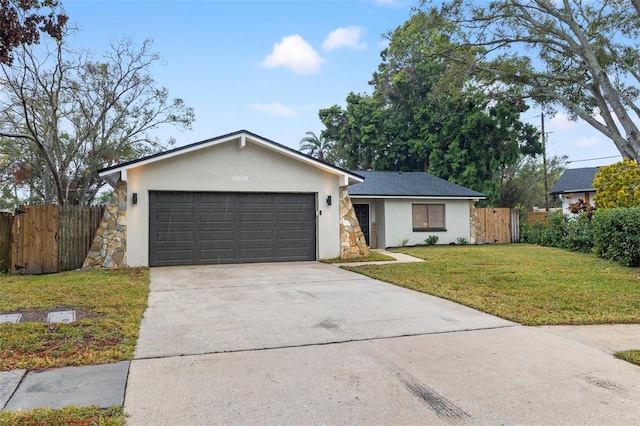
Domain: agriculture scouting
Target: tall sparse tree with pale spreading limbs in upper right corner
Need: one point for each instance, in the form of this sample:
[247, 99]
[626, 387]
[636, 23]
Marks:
[577, 55]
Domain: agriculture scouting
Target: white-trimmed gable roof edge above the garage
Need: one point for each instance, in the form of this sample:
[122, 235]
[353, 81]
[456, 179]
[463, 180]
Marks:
[119, 172]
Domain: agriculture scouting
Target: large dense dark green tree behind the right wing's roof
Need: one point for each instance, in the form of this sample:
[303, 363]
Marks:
[421, 117]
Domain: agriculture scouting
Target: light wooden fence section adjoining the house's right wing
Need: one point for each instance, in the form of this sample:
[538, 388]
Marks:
[496, 225]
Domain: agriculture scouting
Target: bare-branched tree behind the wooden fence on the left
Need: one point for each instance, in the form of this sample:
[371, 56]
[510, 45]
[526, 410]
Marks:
[66, 115]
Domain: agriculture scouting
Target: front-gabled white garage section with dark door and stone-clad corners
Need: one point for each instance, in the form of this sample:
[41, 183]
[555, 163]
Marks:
[234, 198]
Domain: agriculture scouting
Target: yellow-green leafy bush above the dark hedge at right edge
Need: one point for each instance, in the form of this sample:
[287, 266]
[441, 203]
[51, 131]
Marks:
[617, 185]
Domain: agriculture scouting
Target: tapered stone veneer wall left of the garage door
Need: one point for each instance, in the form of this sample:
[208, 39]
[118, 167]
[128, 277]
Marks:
[109, 247]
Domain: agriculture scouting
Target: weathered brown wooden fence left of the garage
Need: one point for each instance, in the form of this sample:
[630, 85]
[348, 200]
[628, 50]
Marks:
[45, 239]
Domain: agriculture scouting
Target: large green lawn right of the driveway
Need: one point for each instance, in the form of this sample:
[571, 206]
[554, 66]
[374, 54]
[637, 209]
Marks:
[529, 284]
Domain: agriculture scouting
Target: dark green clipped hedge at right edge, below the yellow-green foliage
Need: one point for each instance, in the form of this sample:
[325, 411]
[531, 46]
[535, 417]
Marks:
[616, 235]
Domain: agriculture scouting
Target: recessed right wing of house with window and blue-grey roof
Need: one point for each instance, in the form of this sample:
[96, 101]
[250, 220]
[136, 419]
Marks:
[406, 207]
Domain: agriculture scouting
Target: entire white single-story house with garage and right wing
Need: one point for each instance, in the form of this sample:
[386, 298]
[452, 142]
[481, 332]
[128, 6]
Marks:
[241, 198]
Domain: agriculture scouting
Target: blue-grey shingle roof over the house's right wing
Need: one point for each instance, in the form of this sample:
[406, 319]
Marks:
[415, 184]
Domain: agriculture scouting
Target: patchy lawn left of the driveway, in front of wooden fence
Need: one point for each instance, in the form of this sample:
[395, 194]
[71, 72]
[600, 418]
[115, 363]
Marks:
[109, 305]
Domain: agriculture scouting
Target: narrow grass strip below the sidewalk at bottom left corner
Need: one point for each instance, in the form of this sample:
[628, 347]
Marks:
[72, 416]
